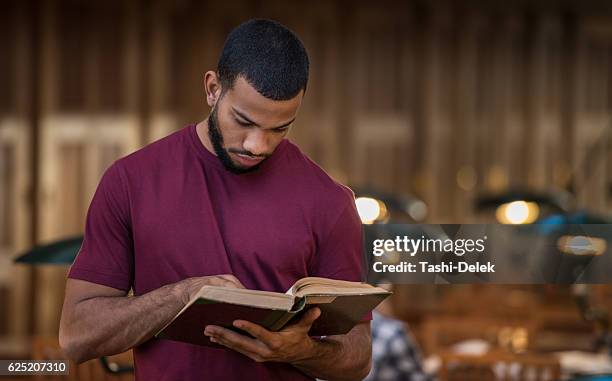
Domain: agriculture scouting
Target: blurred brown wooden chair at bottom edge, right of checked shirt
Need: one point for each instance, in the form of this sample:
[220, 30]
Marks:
[499, 366]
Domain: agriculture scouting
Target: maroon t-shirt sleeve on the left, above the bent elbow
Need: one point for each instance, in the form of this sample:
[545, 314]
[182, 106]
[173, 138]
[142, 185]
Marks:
[106, 255]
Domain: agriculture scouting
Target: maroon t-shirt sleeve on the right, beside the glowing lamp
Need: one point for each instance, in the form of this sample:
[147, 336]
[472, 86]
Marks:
[340, 255]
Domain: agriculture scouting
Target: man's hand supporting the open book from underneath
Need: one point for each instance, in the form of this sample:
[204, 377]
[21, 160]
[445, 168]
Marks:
[291, 344]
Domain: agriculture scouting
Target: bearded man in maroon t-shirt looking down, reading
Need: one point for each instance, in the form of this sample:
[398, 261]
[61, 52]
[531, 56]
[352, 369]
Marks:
[226, 202]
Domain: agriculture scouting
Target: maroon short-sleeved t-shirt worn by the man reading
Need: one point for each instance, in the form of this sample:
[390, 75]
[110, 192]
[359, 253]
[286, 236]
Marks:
[171, 211]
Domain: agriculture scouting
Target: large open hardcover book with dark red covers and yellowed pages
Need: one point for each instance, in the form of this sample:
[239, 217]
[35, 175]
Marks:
[343, 304]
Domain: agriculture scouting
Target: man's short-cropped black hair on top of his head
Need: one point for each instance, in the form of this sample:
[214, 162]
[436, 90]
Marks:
[269, 56]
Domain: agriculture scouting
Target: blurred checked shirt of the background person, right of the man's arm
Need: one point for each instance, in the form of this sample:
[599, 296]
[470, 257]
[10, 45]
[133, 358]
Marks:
[395, 355]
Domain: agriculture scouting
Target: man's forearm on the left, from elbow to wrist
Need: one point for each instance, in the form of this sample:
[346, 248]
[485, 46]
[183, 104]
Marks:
[106, 325]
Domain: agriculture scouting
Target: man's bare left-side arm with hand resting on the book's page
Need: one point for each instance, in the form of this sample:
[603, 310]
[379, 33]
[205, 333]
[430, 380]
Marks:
[100, 321]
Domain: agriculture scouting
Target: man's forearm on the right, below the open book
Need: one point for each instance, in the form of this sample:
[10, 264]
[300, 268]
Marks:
[339, 358]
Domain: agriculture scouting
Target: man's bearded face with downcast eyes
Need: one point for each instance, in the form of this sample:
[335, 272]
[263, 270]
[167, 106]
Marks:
[244, 127]
